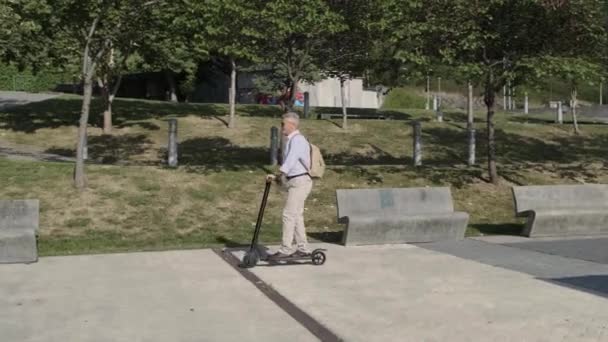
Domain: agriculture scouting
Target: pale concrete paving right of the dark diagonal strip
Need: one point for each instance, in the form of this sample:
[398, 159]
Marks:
[406, 293]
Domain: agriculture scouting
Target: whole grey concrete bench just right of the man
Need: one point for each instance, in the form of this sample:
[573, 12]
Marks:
[386, 216]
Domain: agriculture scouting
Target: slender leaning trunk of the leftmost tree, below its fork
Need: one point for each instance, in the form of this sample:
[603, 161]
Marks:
[80, 179]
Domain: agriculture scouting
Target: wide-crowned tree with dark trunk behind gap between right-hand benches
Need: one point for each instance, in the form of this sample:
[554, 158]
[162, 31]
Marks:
[495, 42]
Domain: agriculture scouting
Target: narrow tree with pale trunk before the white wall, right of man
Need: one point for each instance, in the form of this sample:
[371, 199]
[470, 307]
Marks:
[346, 52]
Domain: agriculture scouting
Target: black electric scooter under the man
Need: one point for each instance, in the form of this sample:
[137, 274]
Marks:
[256, 254]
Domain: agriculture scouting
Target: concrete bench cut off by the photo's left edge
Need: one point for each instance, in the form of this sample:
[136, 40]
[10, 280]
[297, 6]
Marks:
[18, 227]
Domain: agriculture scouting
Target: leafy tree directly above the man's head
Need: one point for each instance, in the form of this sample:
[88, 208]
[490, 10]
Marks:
[295, 32]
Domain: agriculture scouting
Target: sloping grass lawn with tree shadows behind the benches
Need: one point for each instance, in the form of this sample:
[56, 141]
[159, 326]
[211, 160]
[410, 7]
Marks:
[135, 203]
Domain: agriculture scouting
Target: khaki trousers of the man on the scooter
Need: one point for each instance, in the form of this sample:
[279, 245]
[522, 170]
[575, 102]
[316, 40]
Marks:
[298, 190]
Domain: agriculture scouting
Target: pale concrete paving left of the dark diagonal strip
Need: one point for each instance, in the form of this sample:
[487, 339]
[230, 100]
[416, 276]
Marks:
[162, 296]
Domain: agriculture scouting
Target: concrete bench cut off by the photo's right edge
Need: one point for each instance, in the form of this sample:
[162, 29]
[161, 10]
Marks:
[562, 210]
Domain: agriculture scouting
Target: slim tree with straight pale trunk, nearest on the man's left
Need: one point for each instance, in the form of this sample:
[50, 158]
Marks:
[232, 27]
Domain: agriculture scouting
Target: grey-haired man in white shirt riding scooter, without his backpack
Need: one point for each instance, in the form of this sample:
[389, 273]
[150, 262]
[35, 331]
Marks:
[295, 176]
